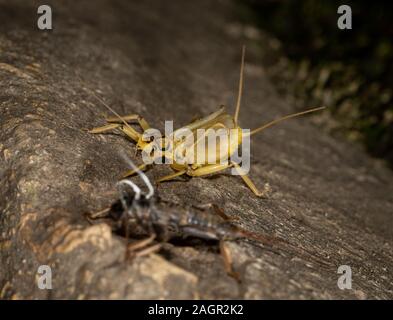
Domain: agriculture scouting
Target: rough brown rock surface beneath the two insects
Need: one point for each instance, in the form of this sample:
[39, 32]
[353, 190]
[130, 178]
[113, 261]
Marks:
[170, 60]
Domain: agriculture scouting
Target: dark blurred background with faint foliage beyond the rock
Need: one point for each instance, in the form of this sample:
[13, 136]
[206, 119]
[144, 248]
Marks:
[350, 71]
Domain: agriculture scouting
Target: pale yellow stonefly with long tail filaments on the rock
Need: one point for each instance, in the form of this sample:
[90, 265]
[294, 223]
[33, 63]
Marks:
[219, 120]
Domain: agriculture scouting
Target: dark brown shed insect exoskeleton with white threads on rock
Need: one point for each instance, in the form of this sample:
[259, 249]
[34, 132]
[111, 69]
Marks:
[158, 221]
